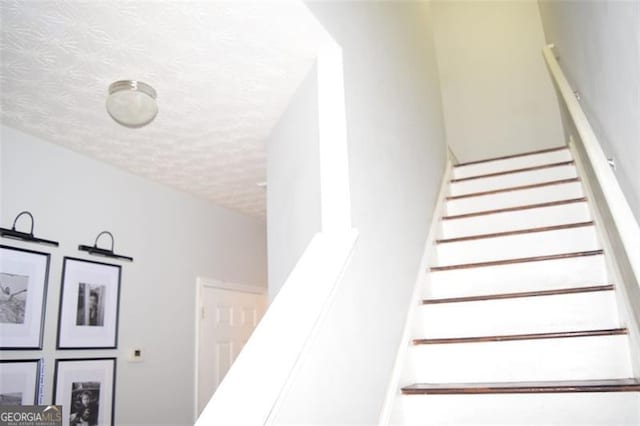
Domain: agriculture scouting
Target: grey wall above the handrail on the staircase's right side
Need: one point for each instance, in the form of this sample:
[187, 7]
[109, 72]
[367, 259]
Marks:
[598, 45]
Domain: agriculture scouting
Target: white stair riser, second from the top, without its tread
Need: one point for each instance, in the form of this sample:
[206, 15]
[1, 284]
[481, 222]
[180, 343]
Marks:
[512, 179]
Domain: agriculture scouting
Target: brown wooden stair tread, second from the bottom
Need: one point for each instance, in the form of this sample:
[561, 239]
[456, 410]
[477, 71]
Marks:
[529, 336]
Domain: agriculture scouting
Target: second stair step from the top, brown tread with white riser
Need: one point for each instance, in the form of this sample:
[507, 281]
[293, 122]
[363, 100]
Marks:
[511, 178]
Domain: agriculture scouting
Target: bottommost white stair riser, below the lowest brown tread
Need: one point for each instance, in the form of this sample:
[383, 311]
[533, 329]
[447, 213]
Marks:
[605, 409]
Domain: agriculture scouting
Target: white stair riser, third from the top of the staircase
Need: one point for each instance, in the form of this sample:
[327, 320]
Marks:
[517, 198]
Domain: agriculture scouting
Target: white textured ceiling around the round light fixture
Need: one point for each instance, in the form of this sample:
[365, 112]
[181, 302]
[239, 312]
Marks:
[224, 73]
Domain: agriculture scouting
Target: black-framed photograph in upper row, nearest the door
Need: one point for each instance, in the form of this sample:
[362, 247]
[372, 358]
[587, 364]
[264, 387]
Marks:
[89, 304]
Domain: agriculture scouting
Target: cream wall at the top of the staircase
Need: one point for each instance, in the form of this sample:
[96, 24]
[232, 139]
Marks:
[497, 95]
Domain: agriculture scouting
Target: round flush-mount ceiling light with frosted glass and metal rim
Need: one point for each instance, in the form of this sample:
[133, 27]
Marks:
[132, 103]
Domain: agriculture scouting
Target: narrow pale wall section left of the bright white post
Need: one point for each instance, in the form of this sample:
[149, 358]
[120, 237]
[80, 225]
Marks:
[293, 183]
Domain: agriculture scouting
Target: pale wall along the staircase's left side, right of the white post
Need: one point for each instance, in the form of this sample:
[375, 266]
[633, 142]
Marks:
[397, 156]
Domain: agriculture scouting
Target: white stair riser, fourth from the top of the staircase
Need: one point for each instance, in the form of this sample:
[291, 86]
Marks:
[512, 221]
